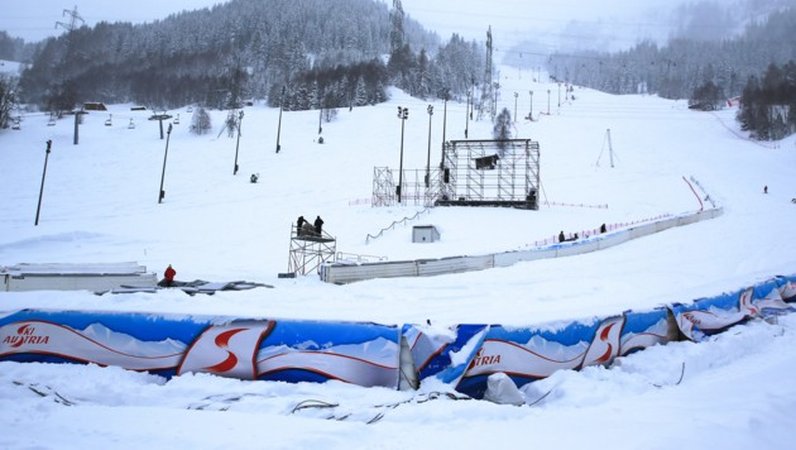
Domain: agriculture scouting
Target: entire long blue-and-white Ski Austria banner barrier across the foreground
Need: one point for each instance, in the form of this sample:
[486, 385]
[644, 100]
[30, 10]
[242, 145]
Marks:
[370, 354]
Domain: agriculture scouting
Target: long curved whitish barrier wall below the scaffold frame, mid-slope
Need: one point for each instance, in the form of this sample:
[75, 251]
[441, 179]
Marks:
[341, 273]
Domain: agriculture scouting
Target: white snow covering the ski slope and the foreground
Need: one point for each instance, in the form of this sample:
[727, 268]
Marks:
[100, 205]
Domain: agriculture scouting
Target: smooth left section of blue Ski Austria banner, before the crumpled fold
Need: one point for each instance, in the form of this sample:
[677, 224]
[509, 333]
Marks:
[361, 353]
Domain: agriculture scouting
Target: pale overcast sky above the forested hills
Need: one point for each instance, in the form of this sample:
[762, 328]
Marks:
[511, 20]
